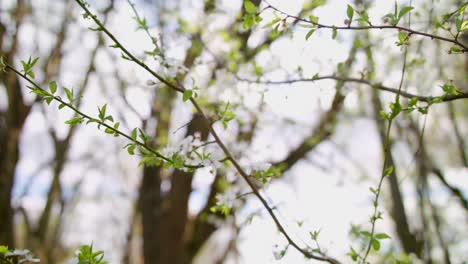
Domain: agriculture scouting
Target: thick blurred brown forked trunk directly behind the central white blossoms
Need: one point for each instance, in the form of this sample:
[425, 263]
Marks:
[151, 198]
